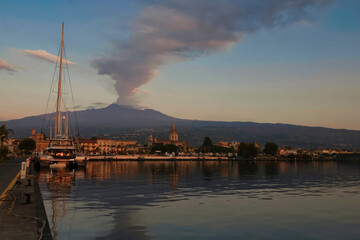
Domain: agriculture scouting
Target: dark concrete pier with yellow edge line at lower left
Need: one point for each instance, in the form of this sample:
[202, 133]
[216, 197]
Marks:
[22, 212]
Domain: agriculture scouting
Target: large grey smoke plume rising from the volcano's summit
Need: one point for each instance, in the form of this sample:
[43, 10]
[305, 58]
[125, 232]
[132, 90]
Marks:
[179, 30]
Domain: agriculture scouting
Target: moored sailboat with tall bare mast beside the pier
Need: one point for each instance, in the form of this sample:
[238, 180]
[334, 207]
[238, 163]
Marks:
[61, 149]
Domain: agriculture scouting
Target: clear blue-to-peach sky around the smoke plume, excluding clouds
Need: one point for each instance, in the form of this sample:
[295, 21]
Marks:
[305, 73]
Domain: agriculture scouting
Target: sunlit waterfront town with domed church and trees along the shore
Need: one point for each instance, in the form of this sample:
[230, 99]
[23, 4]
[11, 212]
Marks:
[173, 147]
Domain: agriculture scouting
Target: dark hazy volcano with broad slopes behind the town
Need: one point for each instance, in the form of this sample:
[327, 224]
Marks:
[129, 123]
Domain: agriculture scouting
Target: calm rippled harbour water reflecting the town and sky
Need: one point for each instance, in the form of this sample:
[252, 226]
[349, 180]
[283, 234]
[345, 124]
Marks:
[204, 200]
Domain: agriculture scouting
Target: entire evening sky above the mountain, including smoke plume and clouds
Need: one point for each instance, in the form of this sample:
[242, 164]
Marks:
[274, 61]
